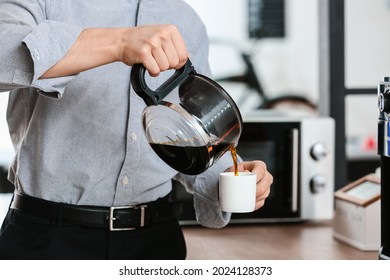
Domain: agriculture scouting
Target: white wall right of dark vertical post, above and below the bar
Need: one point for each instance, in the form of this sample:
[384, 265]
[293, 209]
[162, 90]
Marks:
[367, 61]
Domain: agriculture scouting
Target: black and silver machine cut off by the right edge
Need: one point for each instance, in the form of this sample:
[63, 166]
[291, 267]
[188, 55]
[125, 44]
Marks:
[384, 153]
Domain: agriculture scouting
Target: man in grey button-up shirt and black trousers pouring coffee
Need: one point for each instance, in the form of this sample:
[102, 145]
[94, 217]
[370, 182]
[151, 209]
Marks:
[75, 123]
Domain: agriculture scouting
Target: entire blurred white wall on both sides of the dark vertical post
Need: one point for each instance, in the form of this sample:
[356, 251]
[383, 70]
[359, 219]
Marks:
[292, 64]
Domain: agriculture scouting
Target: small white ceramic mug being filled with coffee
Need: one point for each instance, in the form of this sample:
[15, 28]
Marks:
[237, 194]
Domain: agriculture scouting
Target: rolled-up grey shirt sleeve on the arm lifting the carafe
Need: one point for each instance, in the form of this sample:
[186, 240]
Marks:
[33, 45]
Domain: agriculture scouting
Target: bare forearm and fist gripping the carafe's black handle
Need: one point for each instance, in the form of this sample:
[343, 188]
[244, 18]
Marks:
[158, 47]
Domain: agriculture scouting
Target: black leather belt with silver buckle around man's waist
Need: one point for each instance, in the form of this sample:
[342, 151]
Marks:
[112, 218]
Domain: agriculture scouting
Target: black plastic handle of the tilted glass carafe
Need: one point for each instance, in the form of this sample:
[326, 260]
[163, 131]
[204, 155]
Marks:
[154, 97]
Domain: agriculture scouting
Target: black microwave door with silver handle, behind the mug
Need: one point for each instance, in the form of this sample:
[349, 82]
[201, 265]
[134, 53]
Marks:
[277, 144]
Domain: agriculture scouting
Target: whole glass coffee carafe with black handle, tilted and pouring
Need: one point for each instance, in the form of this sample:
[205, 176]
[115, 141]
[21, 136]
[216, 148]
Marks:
[192, 135]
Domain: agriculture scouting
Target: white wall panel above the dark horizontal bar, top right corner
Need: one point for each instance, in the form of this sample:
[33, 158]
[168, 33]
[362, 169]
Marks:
[367, 50]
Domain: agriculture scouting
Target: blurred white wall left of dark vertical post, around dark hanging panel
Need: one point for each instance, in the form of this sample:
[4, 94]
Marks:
[284, 65]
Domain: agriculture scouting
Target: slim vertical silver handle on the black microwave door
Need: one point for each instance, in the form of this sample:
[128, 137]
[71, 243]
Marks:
[295, 169]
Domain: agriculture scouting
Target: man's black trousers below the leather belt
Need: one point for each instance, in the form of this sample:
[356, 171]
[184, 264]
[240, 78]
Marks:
[26, 237]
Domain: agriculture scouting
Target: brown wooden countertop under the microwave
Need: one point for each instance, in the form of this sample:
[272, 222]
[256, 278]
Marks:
[295, 241]
